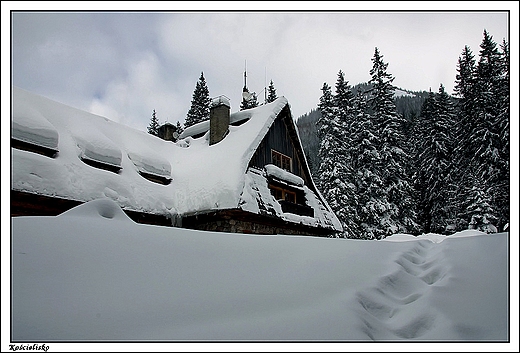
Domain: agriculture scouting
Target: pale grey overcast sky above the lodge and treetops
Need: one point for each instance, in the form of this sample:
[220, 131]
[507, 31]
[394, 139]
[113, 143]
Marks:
[123, 65]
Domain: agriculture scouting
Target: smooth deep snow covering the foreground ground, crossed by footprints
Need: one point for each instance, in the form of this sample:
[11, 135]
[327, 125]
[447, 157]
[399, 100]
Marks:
[92, 274]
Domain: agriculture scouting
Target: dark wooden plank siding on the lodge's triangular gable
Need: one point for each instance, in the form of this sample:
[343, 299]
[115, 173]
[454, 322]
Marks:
[282, 137]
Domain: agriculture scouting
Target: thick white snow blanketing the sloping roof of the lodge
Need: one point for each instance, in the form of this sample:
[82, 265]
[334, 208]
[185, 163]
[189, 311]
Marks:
[202, 177]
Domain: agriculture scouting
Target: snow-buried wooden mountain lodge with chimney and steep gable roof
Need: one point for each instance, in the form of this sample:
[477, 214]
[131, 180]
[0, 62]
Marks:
[237, 172]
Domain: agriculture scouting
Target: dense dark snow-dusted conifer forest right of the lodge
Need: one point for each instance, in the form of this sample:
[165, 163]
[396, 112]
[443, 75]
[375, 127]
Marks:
[421, 162]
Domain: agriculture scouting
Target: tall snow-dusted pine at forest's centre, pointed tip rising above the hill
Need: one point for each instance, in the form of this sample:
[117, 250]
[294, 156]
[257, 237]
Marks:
[399, 214]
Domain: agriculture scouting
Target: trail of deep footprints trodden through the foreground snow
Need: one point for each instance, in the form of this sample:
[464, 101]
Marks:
[394, 309]
